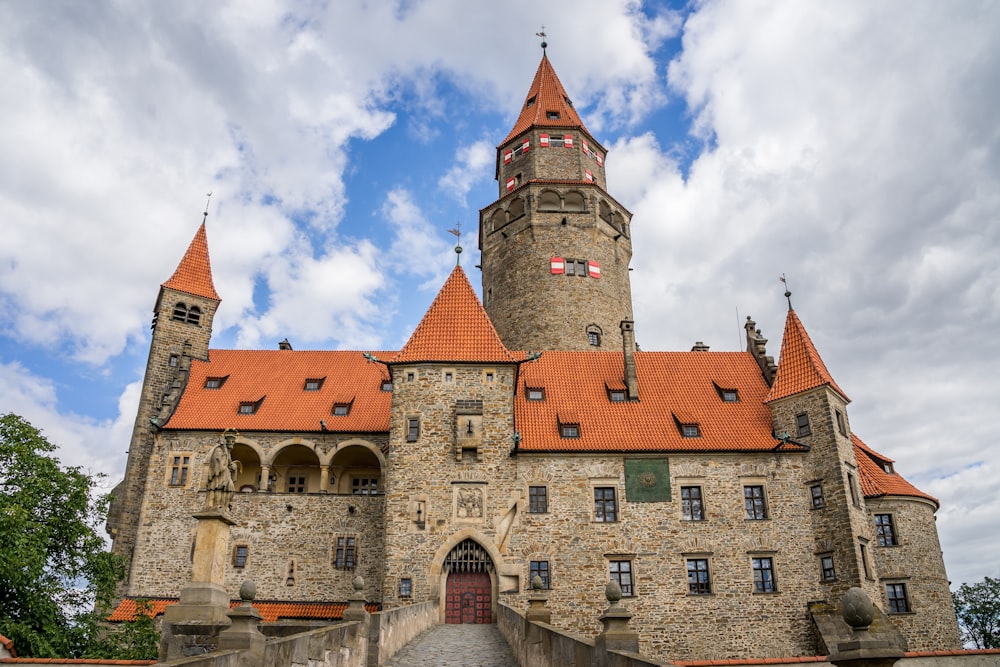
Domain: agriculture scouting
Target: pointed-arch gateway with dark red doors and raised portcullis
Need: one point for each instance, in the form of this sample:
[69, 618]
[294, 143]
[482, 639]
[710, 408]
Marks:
[469, 585]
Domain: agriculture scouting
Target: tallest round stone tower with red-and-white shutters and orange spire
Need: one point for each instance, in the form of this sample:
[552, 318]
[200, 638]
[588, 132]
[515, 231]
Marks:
[555, 245]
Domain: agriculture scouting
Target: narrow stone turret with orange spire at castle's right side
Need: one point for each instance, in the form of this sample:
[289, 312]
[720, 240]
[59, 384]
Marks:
[808, 407]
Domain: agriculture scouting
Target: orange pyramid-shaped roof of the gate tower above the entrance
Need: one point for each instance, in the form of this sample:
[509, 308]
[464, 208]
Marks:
[455, 328]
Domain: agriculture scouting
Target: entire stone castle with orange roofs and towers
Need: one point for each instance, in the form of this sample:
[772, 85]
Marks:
[726, 494]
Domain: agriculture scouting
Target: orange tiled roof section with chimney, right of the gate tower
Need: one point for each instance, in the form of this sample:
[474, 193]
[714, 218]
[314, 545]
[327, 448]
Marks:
[671, 385]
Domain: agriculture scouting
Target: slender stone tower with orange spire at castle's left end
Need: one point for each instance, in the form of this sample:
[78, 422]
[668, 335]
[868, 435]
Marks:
[182, 329]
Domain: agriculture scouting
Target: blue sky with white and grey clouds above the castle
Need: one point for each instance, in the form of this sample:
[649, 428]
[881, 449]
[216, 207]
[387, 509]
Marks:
[851, 146]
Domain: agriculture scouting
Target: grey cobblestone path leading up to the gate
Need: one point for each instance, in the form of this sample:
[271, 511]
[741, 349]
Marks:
[456, 645]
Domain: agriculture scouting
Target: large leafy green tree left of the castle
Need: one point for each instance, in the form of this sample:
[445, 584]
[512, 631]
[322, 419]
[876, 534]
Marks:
[56, 574]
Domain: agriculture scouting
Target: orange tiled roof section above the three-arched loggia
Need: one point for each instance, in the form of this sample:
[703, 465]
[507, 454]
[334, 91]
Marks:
[278, 377]
